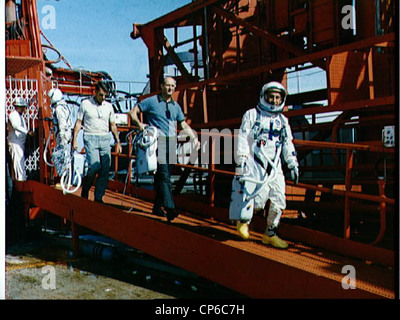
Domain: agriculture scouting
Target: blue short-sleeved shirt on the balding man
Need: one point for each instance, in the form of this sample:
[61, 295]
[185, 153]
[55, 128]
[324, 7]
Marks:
[162, 114]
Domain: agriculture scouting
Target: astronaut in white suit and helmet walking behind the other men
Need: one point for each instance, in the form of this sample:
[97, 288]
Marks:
[63, 122]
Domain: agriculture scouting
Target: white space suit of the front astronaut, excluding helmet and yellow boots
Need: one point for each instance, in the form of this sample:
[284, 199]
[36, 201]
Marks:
[261, 134]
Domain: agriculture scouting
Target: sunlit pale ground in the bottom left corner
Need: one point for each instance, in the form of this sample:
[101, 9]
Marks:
[28, 276]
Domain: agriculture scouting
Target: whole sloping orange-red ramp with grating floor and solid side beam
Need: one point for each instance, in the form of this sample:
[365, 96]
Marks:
[214, 251]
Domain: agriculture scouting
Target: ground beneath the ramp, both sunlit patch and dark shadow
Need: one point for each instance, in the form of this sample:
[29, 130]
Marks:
[45, 268]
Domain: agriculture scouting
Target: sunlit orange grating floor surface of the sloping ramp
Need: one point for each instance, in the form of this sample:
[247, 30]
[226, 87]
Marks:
[375, 279]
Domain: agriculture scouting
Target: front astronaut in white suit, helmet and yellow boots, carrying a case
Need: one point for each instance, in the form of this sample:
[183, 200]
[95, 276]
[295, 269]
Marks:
[264, 136]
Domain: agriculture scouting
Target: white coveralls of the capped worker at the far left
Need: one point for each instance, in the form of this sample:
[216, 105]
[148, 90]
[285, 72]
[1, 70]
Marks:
[17, 132]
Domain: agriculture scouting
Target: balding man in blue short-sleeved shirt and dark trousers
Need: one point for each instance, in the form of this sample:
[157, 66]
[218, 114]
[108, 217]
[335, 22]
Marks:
[162, 112]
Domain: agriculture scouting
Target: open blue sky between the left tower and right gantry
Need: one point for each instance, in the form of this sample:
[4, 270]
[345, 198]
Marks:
[95, 35]
